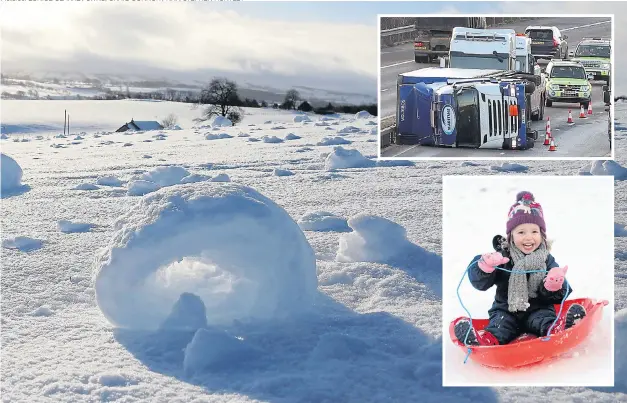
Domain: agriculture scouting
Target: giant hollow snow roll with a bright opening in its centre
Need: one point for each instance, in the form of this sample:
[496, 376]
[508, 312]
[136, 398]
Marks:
[234, 248]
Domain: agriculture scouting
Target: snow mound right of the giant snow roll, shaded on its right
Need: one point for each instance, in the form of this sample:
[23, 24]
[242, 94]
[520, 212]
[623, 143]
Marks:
[379, 240]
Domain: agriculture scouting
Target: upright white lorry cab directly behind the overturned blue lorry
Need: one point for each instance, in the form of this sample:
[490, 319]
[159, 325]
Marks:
[482, 49]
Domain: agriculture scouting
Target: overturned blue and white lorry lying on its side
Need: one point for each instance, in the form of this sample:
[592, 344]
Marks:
[464, 108]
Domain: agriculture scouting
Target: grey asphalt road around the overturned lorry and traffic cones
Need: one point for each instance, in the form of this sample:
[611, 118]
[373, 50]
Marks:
[400, 59]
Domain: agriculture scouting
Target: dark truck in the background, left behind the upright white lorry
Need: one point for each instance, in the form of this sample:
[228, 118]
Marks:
[435, 42]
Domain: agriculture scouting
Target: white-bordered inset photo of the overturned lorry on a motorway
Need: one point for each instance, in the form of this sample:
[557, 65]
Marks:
[457, 87]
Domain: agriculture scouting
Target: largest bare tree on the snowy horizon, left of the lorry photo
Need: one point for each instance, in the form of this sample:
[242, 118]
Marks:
[221, 96]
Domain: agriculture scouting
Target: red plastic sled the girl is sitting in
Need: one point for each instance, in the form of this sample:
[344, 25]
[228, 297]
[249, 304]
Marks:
[528, 349]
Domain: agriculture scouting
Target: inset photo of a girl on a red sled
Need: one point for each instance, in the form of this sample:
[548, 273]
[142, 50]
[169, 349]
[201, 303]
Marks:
[575, 218]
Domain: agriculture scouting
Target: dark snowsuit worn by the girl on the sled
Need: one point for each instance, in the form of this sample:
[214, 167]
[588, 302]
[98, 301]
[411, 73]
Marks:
[506, 325]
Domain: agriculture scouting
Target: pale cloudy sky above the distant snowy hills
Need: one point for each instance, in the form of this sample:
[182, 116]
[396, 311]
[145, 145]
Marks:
[329, 45]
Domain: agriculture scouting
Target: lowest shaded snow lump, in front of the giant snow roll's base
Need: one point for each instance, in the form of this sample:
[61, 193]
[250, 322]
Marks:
[213, 349]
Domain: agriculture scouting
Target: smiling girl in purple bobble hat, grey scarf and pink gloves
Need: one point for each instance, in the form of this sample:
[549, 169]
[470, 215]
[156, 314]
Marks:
[529, 287]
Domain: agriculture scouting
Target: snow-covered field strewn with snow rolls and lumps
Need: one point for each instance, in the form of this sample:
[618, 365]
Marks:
[230, 264]
